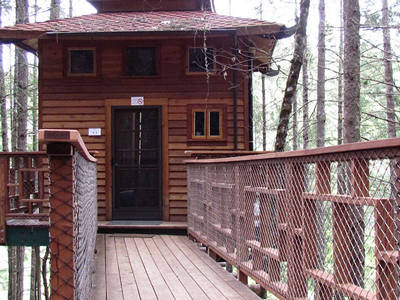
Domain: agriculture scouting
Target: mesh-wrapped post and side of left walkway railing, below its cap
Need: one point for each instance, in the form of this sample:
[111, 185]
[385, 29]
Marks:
[73, 225]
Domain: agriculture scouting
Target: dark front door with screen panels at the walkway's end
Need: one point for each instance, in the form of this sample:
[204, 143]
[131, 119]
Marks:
[137, 164]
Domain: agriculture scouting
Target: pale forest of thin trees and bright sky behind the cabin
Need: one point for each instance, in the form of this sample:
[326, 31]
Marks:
[316, 117]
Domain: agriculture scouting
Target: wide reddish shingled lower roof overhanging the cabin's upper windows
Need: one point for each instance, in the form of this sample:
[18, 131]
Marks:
[260, 33]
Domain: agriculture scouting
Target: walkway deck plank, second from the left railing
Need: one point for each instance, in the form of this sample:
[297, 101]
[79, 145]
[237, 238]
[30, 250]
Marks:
[114, 288]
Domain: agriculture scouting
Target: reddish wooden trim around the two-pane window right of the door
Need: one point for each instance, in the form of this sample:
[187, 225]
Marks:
[207, 109]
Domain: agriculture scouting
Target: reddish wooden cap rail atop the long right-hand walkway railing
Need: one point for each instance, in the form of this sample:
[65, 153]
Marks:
[351, 147]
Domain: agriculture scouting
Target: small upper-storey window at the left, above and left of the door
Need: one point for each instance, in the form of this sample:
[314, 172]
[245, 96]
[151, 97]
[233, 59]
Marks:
[82, 61]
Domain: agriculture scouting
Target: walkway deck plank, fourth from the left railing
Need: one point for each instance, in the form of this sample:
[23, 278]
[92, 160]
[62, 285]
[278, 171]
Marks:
[145, 288]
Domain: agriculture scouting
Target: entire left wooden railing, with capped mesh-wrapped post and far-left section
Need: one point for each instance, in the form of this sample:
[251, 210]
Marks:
[56, 190]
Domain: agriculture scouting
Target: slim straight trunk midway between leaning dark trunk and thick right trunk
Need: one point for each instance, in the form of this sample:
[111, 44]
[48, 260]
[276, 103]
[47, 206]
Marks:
[321, 117]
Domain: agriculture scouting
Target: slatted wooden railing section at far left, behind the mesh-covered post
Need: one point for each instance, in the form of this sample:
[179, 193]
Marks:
[24, 190]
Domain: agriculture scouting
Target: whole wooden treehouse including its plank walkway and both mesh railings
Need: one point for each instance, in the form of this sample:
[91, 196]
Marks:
[124, 94]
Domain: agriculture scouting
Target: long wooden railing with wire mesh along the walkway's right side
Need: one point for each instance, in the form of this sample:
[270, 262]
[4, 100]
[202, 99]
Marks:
[321, 223]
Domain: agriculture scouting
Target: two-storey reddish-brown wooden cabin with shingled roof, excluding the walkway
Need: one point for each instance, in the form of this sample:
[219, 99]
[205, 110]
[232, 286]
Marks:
[143, 82]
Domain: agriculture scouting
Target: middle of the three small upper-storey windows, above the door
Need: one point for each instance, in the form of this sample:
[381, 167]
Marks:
[141, 61]
